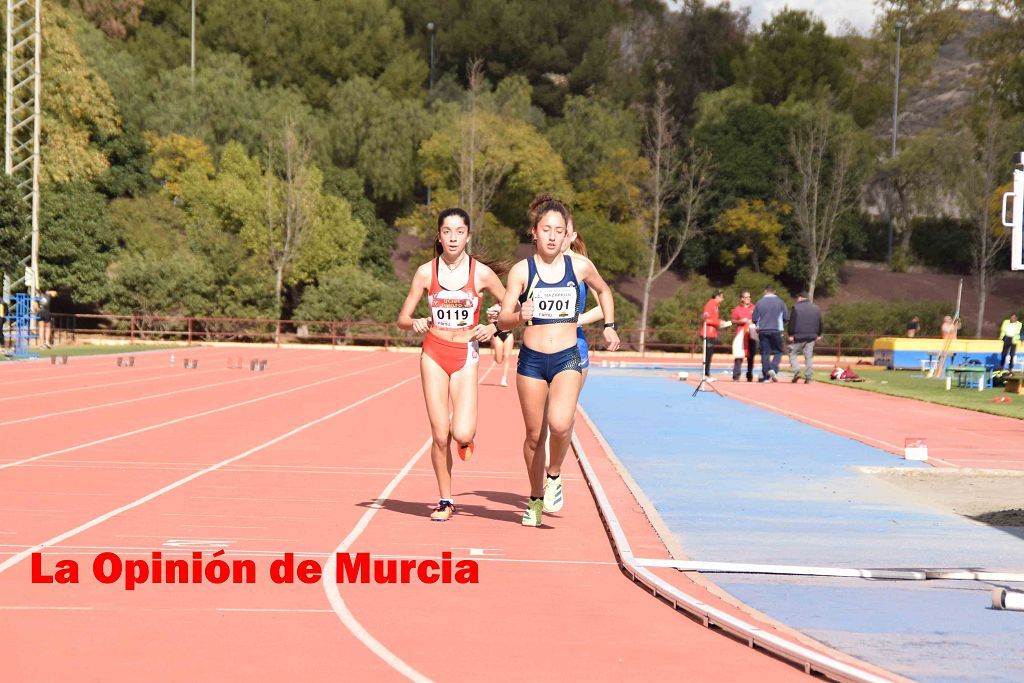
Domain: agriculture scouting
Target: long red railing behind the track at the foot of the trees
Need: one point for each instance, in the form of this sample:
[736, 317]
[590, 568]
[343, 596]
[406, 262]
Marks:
[202, 330]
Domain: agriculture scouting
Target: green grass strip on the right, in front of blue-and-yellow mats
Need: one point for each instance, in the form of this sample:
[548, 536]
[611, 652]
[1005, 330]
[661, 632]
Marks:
[913, 385]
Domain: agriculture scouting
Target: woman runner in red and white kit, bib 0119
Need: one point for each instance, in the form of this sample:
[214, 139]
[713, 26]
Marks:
[451, 349]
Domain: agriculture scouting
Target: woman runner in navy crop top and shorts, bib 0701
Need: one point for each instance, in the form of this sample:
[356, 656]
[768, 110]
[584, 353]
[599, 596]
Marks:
[544, 293]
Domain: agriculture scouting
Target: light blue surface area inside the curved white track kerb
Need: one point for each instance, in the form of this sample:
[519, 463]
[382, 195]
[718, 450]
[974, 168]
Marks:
[739, 484]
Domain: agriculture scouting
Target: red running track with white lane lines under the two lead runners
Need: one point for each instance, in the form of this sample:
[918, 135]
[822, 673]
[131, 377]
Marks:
[292, 460]
